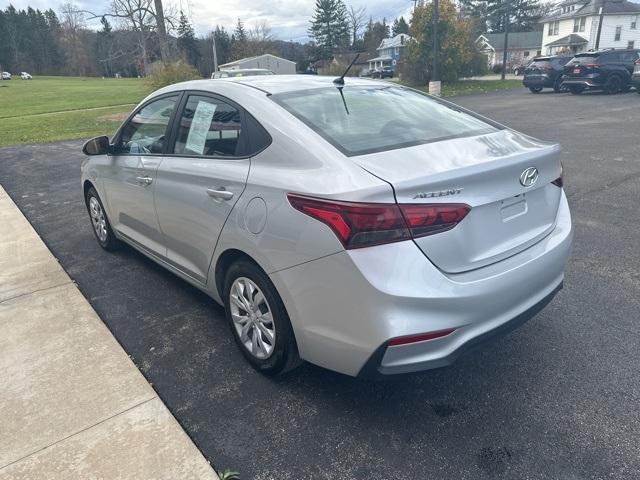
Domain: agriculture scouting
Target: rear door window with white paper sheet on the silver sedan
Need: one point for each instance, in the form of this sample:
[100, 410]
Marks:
[209, 127]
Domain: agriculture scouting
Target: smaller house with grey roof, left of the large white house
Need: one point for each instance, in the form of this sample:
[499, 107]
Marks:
[521, 47]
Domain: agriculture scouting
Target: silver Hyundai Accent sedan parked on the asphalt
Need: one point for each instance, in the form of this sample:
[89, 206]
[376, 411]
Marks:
[361, 226]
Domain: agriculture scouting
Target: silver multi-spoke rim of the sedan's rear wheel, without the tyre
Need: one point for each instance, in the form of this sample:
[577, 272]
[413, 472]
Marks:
[252, 318]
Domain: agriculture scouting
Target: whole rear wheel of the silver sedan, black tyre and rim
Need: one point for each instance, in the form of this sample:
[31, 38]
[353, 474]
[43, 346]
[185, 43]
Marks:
[268, 344]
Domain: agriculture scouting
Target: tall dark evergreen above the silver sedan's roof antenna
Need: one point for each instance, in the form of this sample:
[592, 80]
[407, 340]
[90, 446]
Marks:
[330, 27]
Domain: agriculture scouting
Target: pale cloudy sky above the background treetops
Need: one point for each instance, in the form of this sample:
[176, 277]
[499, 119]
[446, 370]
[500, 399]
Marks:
[289, 19]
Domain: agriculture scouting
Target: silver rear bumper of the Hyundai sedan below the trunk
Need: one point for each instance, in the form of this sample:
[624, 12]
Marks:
[345, 307]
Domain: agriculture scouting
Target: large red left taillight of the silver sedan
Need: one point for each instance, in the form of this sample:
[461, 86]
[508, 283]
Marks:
[360, 225]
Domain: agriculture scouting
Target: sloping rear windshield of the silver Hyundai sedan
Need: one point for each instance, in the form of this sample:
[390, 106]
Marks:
[374, 118]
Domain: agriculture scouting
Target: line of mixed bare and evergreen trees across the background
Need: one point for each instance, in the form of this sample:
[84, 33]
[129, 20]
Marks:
[129, 38]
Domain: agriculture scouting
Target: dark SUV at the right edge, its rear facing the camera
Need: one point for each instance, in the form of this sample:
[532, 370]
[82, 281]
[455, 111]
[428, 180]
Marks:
[607, 70]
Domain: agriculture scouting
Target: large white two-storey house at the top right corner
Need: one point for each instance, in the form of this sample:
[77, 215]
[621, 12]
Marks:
[573, 26]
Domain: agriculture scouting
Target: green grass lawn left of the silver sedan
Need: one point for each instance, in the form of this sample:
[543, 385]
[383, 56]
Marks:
[47, 109]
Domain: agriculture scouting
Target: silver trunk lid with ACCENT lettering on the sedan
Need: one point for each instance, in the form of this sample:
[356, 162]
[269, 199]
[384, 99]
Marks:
[483, 172]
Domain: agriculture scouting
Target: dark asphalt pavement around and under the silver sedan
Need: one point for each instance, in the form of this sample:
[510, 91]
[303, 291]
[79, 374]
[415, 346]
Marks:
[557, 399]
